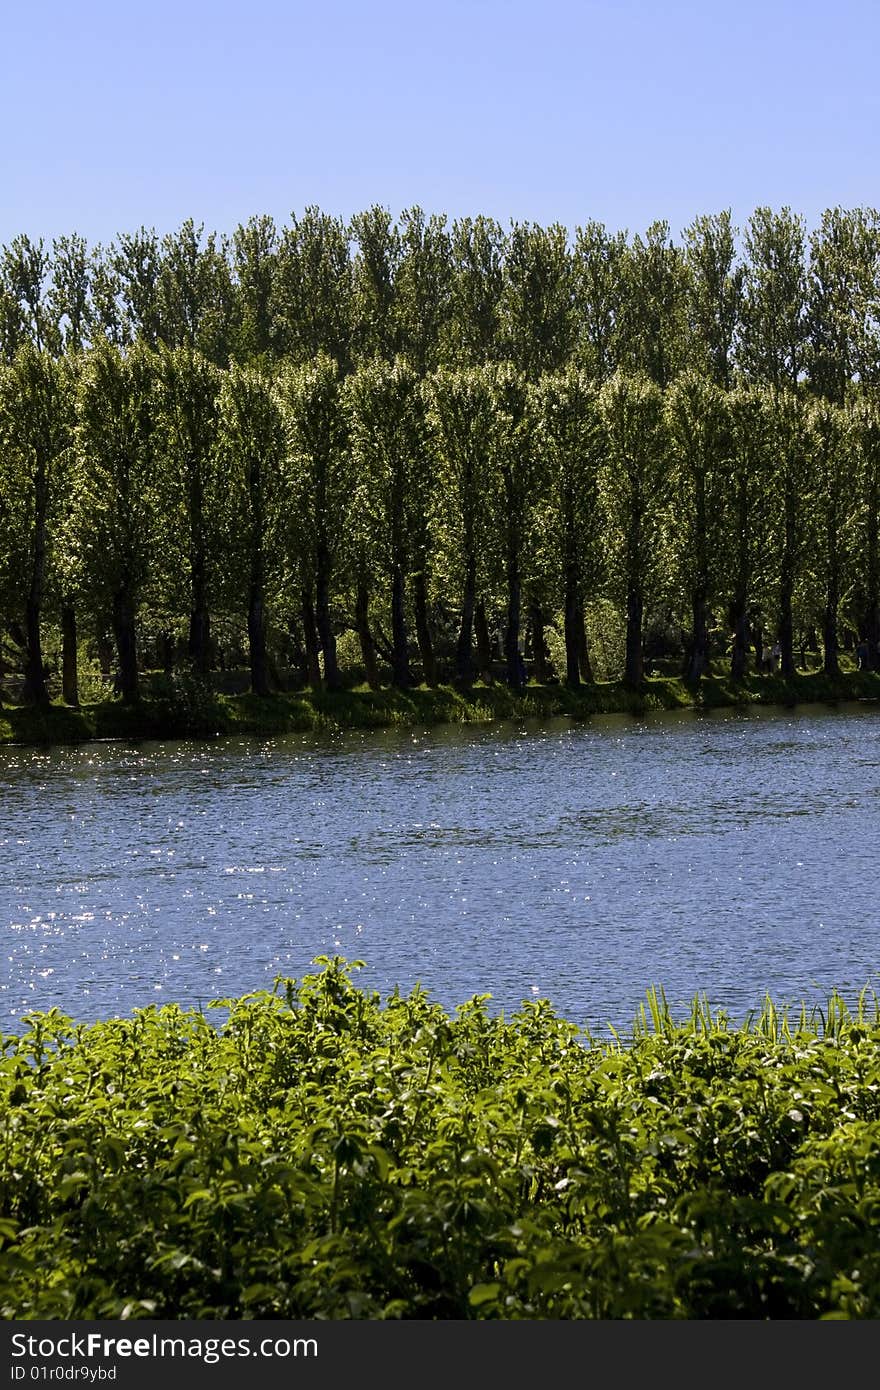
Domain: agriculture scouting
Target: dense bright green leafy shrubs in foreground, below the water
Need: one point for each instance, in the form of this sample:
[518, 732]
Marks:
[320, 1153]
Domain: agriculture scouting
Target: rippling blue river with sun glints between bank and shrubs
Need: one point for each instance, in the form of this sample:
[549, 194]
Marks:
[731, 854]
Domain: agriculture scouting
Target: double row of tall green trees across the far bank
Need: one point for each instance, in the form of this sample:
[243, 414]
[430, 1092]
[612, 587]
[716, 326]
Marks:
[421, 432]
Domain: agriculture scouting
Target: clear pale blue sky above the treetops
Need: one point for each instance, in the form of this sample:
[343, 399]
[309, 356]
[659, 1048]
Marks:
[129, 113]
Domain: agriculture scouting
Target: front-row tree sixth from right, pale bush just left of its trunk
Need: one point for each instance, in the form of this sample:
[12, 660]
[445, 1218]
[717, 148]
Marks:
[635, 486]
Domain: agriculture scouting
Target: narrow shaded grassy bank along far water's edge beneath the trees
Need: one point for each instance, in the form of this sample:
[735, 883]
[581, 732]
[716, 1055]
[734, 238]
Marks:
[179, 708]
